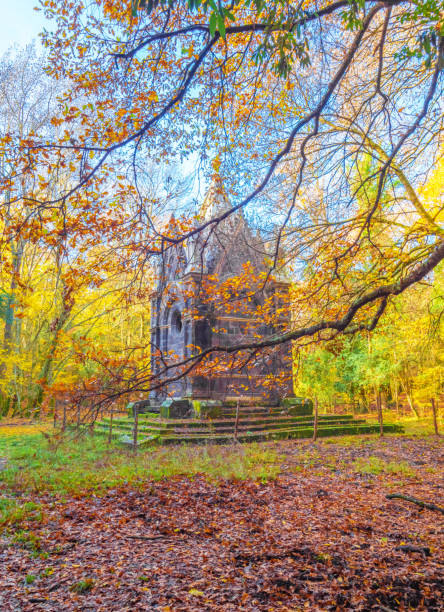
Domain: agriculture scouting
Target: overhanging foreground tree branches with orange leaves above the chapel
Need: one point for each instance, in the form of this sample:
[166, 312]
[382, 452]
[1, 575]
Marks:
[290, 99]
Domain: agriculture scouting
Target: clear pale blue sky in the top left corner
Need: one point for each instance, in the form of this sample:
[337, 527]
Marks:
[19, 23]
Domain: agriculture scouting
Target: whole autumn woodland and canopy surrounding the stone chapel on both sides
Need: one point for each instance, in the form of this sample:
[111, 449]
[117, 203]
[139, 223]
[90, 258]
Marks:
[89, 187]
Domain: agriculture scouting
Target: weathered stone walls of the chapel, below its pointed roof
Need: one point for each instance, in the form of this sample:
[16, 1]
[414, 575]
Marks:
[177, 330]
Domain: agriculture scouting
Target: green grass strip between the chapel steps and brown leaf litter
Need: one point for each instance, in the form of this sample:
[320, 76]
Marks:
[89, 465]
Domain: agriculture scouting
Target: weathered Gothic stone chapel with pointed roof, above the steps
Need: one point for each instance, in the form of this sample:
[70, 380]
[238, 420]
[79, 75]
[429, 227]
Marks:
[184, 319]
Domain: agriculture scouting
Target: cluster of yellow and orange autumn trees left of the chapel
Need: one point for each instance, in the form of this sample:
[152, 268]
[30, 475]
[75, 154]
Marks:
[64, 275]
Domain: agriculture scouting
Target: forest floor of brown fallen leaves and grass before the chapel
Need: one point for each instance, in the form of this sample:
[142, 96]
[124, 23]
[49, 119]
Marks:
[290, 525]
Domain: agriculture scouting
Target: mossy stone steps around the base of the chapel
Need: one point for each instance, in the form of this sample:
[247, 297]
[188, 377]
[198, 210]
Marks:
[255, 423]
